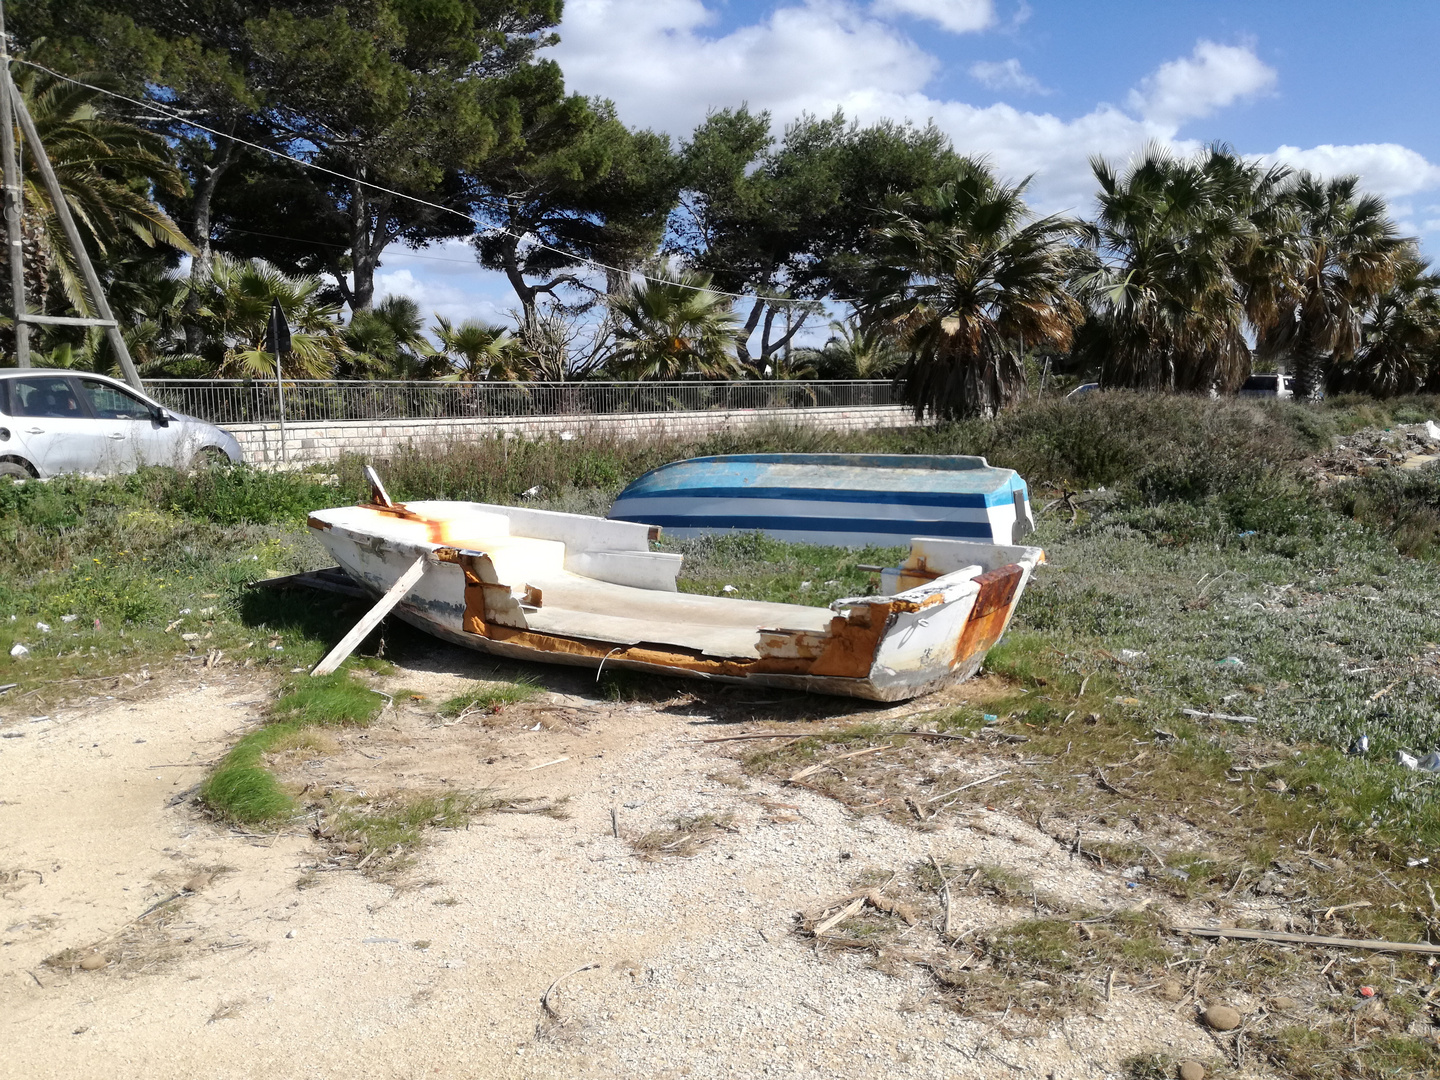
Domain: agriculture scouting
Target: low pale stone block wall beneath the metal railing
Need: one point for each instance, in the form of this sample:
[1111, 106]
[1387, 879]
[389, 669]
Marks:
[330, 440]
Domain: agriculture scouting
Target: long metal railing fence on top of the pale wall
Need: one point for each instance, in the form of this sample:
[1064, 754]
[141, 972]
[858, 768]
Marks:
[246, 401]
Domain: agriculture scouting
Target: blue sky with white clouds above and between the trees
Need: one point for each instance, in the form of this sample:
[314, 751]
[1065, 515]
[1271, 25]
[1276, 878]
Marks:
[1035, 86]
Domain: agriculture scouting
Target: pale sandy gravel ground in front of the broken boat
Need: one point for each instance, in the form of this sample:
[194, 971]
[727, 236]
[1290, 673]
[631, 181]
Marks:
[696, 968]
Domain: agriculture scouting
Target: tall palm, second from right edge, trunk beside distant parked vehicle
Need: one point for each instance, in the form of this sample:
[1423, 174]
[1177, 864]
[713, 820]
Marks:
[1350, 254]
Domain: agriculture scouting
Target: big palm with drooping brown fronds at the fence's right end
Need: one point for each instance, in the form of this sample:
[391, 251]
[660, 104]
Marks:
[963, 277]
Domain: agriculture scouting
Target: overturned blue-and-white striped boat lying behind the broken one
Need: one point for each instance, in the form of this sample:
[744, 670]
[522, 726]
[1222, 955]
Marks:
[843, 500]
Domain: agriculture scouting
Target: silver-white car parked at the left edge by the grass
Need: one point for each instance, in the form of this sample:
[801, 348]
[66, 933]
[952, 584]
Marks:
[57, 421]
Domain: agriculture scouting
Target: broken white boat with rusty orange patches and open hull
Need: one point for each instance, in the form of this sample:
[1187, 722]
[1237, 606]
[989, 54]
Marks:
[574, 590]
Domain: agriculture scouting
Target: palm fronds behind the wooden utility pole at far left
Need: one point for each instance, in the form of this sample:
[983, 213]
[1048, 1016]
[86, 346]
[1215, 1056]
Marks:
[107, 171]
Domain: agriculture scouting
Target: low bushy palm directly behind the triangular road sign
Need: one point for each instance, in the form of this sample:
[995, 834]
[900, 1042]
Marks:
[235, 300]
